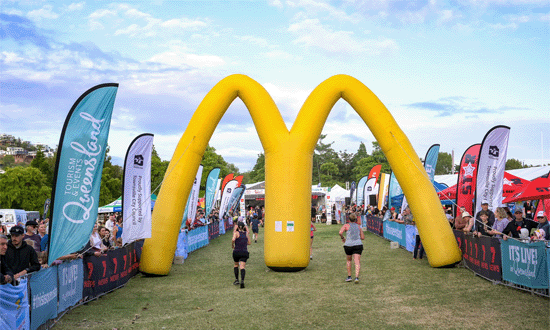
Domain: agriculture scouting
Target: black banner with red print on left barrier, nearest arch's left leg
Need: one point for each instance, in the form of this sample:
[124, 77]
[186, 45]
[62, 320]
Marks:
[109, 271]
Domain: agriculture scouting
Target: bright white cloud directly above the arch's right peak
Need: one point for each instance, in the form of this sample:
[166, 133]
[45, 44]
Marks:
[311, 33]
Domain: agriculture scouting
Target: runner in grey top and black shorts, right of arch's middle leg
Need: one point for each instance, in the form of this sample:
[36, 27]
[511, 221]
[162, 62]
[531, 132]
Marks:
[353, 245]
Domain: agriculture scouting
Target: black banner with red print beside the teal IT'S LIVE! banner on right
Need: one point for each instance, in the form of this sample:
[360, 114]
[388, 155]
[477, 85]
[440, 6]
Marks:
[481, 254]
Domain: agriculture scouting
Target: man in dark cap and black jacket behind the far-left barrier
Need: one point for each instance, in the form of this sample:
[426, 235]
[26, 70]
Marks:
[21, 258]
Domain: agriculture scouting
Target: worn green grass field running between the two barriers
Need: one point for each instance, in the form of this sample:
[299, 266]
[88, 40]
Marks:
[395, 292]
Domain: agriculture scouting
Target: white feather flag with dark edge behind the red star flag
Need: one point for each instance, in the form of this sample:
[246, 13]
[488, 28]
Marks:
[490, 173]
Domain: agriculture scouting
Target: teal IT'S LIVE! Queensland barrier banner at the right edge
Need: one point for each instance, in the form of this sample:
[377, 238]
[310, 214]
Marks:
[525, 263]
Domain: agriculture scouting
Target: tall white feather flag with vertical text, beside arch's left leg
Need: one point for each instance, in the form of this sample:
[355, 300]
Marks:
[136, 196]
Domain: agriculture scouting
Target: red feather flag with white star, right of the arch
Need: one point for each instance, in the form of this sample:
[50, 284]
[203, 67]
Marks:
[465, 188]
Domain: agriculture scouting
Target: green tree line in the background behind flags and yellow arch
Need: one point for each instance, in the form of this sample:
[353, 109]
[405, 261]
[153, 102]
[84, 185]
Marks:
[25, 186]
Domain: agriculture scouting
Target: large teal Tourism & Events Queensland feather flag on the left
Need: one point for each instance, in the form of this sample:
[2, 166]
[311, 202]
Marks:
[78, 169]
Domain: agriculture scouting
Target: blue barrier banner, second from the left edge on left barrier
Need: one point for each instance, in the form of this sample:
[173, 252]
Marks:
[43, 286]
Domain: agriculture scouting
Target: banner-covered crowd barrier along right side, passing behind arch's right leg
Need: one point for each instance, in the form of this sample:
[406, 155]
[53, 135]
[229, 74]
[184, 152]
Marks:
[523, 265]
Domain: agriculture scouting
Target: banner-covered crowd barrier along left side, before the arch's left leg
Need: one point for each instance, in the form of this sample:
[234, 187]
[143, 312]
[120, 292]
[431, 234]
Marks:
[42, 296]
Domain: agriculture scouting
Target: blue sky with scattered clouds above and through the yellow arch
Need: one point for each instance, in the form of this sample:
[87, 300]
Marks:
[448, 71]
